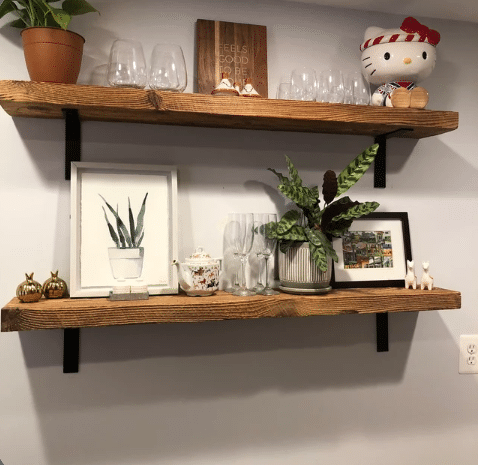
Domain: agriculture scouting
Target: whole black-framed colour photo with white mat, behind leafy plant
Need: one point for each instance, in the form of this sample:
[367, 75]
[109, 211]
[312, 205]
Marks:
[373, 252]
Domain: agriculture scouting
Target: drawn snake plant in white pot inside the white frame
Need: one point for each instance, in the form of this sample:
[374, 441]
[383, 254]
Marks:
[126, 258]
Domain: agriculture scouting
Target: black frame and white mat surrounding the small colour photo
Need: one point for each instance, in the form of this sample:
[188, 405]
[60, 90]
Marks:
[342, 278]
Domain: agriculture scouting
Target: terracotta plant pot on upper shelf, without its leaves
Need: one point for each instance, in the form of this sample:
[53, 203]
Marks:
[52, 54]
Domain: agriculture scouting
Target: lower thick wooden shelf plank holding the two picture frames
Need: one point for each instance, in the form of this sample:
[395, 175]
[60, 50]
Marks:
[81, 313]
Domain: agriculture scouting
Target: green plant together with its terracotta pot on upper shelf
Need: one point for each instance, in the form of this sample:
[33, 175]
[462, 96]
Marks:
[52, 54]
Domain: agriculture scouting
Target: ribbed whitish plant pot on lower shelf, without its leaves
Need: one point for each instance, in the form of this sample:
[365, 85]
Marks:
[297, 271]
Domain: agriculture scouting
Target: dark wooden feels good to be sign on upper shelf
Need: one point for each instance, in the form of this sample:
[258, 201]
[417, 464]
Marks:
[237, 49]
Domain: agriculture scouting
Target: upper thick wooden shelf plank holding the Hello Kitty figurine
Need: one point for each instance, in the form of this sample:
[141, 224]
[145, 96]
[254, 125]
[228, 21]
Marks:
[94, 103]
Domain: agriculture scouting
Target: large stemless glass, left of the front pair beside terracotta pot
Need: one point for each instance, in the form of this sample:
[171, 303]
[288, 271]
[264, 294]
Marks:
[126, 66]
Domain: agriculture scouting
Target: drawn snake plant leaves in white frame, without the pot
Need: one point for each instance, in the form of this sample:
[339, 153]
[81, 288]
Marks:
[126, 238]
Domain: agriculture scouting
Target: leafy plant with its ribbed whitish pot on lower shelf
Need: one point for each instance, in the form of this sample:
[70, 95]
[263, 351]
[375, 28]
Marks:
[305, 234]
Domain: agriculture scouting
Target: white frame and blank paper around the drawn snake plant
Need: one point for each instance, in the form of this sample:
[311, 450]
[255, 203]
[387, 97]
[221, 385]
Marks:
[121, 184]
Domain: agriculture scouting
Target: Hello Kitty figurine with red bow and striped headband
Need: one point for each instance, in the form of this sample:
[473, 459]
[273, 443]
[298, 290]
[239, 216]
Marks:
[396, 59]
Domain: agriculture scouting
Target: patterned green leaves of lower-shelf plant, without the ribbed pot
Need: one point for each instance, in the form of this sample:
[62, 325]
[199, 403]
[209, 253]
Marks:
[317, 224]
